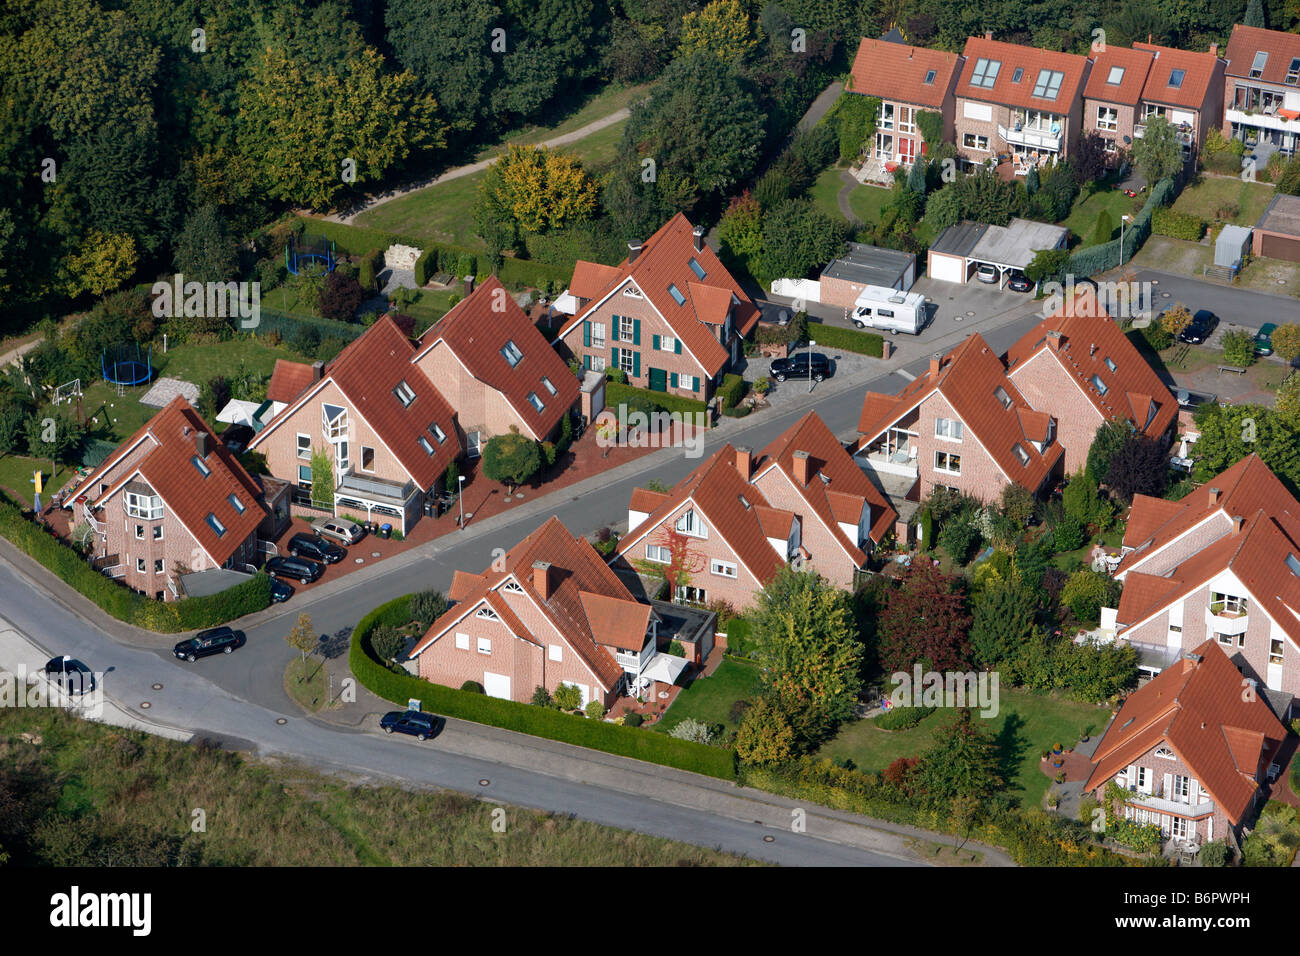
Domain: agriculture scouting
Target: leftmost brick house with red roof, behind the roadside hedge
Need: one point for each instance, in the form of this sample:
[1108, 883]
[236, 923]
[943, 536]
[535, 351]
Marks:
[170, 501]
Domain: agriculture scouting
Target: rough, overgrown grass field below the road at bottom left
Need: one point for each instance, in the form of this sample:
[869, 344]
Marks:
[93, 795]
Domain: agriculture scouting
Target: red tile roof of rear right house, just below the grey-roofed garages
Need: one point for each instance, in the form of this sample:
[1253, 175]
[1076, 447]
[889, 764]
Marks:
[1089, 338]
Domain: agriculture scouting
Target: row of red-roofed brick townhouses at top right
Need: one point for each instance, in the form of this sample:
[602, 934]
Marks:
[1024, 106]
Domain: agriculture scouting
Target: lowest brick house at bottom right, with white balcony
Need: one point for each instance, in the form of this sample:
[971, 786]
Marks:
[1190, 751]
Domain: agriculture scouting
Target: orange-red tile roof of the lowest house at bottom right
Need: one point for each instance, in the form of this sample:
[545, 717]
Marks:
[1198, 710]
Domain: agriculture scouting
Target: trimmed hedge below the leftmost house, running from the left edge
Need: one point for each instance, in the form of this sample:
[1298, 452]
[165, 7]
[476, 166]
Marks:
[120, 602]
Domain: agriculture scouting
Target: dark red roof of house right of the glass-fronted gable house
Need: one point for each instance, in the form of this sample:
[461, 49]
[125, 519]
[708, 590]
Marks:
[478, 330]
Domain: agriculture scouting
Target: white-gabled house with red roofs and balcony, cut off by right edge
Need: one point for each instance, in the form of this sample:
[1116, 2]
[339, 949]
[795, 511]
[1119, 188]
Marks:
[1220, 565]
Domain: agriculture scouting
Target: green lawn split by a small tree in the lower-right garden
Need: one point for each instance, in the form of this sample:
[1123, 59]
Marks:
[1026, 726]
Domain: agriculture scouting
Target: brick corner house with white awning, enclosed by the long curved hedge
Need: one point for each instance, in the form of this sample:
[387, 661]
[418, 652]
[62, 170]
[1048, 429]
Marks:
[551, 613]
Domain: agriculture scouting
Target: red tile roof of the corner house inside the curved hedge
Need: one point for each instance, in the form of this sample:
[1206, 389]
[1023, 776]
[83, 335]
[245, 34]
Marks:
[588, 603]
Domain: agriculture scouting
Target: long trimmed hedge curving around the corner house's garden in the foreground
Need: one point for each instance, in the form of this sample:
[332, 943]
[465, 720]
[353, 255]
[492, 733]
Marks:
[523, 719]
